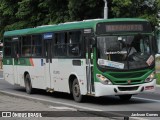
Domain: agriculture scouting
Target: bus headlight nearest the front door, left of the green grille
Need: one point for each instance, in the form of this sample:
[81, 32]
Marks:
[103, 79]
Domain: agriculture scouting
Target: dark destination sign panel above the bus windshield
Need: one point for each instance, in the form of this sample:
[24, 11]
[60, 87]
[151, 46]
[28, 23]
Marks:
[121, 27]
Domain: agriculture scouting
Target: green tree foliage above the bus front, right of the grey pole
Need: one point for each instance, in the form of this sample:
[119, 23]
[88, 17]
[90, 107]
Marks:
[136, 8]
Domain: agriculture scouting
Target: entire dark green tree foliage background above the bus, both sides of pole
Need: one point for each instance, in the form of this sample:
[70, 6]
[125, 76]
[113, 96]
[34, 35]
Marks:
[17, 14]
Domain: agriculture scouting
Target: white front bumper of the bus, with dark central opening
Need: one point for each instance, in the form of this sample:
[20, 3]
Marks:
[102, 90]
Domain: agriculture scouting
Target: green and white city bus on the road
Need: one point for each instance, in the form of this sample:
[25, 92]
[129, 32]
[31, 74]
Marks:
[93, 57]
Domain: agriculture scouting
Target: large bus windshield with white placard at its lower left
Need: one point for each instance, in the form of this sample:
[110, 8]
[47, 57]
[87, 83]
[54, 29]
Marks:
[125, 52]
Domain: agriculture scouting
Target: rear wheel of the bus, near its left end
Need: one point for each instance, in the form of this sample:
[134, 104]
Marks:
[28, 84]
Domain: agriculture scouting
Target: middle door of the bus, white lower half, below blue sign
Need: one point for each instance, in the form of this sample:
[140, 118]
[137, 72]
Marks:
[48, 62]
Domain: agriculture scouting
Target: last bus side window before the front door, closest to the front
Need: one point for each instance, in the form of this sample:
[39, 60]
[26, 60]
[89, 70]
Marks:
[74, 43]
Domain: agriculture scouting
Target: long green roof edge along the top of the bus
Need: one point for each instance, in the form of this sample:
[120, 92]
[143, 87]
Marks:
[66, 26]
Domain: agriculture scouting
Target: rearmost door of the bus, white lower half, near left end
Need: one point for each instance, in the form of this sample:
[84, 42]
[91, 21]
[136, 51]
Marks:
[15, 57]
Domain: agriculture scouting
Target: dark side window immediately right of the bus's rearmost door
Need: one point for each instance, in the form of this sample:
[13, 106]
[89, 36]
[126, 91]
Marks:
[26, 46]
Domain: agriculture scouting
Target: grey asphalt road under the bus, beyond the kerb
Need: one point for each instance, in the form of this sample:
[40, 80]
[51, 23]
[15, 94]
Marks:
[141, 102]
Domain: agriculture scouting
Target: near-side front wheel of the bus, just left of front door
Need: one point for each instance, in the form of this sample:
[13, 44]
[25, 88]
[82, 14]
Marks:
[76, 91]
